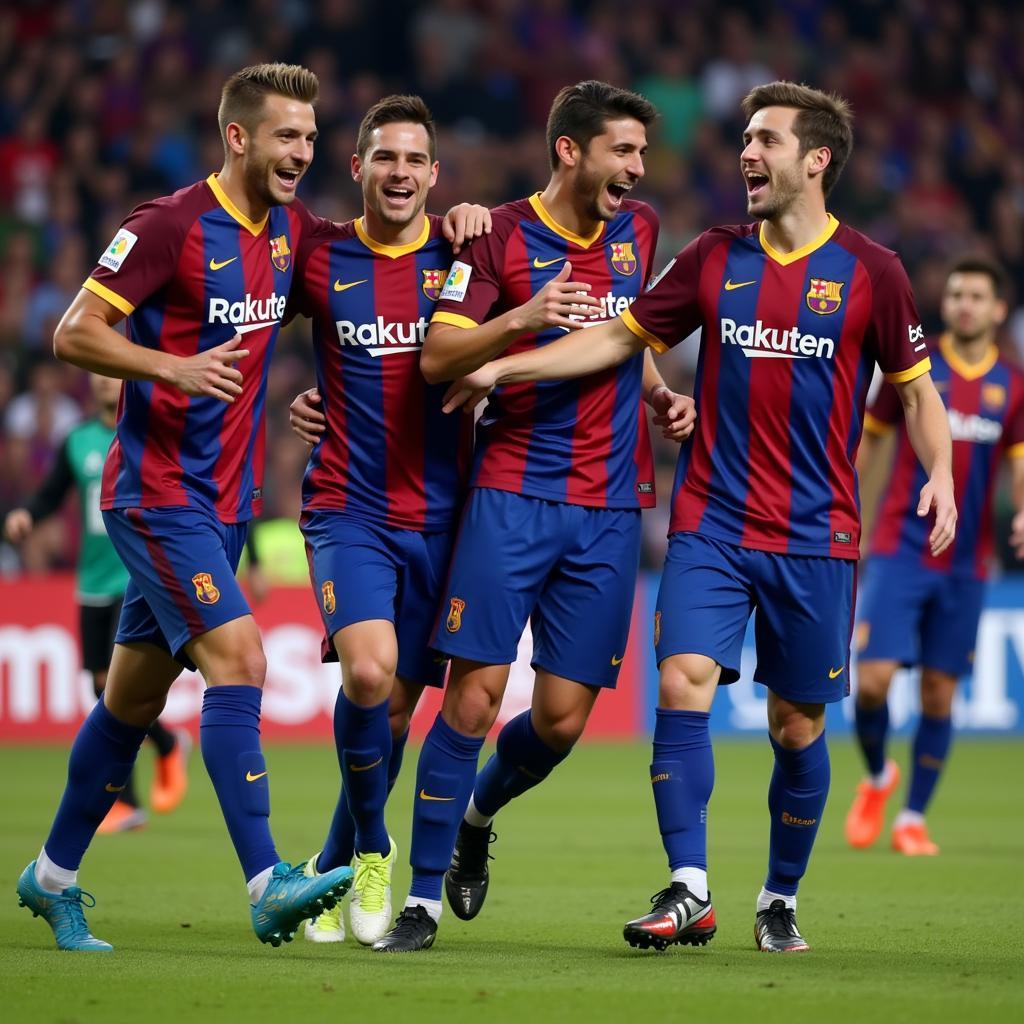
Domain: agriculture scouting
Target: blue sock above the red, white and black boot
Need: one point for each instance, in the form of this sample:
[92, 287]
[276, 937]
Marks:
[682, 776]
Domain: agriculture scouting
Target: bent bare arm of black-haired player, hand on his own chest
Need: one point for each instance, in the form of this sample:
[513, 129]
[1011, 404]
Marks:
[450, 352]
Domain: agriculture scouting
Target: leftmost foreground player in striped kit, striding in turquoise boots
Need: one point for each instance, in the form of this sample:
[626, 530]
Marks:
[192, 273]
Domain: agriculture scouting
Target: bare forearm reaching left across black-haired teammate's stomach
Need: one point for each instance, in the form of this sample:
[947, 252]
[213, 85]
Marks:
[576, 356]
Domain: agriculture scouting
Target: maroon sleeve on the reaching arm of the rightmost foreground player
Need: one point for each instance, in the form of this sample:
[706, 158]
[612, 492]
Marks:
[670, 311]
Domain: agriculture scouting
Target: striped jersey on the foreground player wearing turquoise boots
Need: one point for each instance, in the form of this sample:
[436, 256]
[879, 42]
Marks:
[190, 272]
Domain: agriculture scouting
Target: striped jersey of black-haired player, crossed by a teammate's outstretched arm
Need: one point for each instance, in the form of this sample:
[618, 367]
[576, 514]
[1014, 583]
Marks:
[581, 442]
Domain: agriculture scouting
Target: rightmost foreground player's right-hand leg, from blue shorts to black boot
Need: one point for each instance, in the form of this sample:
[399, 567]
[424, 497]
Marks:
[803, 629]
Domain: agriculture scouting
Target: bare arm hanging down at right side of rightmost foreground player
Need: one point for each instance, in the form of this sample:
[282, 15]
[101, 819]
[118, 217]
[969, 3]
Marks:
[928, 429]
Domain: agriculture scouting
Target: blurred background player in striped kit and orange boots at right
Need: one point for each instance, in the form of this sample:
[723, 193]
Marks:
[918, 609]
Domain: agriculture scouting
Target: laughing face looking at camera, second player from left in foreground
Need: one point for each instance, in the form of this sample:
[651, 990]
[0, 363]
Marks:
[397, 173]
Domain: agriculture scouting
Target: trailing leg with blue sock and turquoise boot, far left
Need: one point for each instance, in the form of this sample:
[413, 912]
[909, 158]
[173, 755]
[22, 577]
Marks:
[101, 762]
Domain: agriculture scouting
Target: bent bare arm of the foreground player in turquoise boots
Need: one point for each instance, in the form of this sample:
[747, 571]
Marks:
[87, 338]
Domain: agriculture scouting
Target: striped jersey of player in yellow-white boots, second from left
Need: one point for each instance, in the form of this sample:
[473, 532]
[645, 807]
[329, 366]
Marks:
[389, 453]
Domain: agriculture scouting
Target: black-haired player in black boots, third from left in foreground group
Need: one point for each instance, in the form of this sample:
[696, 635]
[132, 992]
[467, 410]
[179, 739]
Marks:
[551, 528]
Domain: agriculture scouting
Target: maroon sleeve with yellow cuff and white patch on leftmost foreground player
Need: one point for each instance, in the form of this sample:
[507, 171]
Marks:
[142, 259]
